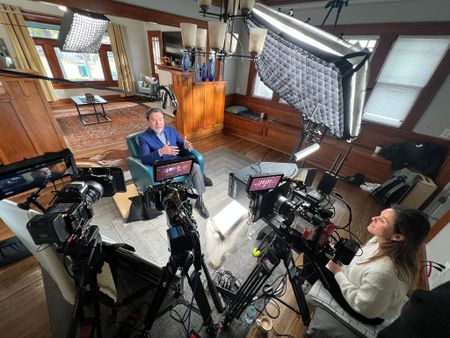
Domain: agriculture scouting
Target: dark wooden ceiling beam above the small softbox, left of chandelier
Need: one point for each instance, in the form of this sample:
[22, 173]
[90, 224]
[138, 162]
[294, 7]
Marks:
[109, 7]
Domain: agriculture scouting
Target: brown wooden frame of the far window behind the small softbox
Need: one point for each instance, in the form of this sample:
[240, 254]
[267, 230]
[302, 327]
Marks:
[49, 44]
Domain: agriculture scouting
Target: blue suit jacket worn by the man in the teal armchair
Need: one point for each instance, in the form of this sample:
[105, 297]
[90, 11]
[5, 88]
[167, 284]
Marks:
[149, 144]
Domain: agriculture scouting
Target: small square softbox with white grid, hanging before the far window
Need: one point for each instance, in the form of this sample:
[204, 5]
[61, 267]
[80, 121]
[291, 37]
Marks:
[82, 31]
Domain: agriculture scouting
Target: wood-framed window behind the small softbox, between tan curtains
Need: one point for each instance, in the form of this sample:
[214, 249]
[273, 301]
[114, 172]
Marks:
[99, 67]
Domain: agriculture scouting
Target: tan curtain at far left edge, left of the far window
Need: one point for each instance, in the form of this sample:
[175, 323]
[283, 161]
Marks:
[24, 47]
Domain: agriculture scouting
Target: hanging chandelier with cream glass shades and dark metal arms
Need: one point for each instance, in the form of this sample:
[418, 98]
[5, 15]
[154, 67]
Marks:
[223, 41]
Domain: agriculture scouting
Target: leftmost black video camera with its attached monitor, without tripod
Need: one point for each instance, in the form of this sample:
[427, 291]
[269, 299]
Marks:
[72, 208]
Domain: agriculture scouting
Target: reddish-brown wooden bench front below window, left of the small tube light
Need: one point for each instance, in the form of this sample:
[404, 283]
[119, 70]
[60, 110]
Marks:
[270, 133]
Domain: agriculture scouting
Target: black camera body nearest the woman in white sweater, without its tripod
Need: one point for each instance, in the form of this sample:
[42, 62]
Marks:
[297, 216]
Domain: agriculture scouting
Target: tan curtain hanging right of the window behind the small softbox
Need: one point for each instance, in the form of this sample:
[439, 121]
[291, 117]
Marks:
[124, 74]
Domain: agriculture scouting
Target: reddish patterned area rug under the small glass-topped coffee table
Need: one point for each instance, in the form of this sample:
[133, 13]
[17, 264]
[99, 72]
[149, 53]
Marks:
[126, 119]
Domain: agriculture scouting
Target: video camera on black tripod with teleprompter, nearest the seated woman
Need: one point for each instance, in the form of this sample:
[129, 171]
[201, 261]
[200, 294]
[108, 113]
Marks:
[298, 221]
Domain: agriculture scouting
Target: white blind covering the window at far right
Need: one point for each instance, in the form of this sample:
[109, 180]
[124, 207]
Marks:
[408, 68]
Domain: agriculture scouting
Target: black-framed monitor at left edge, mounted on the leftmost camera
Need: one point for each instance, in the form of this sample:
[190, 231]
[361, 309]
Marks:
[33, 173]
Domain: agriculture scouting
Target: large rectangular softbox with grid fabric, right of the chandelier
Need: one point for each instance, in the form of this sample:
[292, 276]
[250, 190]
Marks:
[320, 75]
